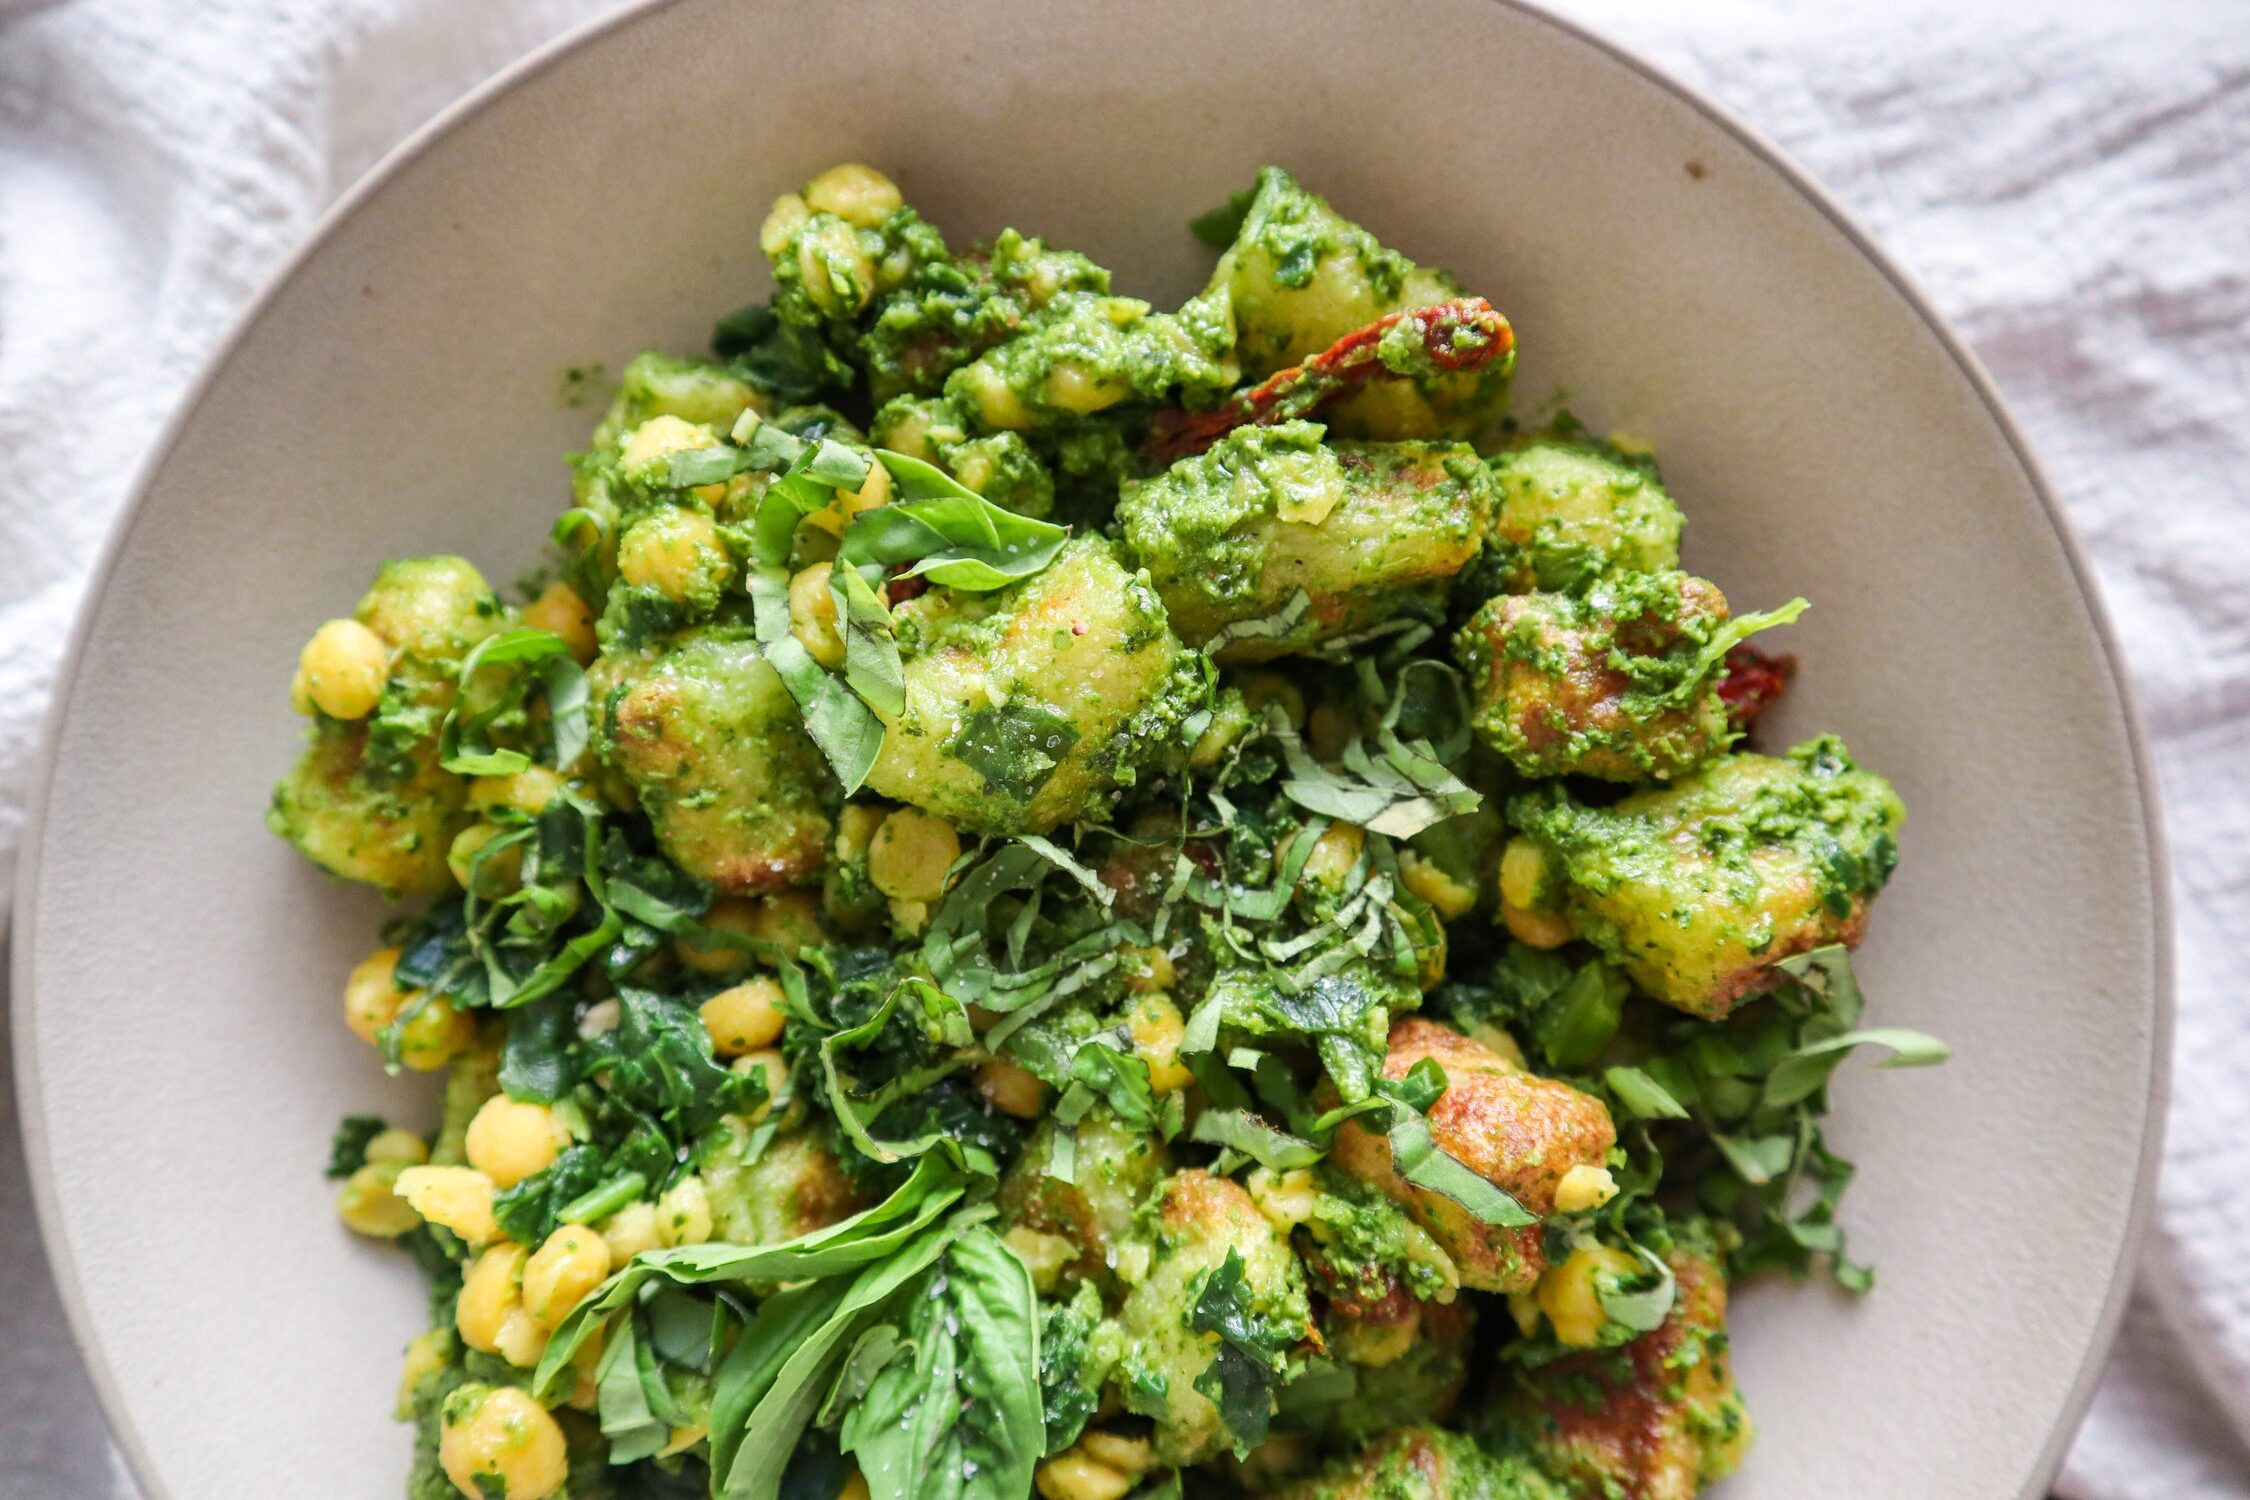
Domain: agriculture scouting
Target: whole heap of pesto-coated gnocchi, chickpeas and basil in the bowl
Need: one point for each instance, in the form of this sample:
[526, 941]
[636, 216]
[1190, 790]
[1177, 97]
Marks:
[1068, 898]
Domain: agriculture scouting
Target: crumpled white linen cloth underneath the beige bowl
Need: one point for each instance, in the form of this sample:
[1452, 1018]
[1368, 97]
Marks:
[2071, 186]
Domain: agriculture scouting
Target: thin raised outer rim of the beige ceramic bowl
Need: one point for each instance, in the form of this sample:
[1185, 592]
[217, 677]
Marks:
[123, 1431]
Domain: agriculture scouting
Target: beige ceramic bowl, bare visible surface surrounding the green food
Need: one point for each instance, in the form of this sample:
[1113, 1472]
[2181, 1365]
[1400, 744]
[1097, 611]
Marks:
[179, 968]
